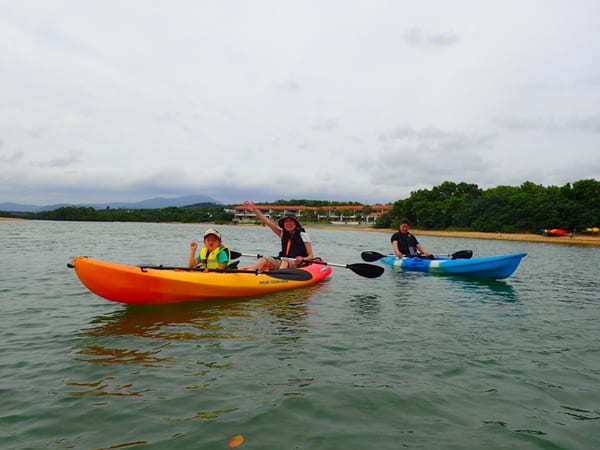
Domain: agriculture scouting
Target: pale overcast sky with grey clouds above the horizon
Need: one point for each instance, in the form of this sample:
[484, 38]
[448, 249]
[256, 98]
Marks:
[263, 100]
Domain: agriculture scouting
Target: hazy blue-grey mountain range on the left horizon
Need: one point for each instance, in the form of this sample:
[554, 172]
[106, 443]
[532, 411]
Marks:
[152, 203]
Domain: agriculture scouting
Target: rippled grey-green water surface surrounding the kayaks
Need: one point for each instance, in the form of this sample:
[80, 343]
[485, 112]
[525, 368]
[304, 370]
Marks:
[408, 360]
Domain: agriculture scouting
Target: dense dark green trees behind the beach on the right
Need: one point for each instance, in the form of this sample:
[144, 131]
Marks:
[525, 208]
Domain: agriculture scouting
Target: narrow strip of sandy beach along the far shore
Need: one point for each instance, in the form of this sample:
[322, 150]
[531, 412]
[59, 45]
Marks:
[575, 239]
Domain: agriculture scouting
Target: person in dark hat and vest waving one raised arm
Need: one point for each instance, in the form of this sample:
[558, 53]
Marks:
[295, 242]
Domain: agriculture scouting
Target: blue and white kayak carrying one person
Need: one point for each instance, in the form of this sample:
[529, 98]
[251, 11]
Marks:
[501, 266]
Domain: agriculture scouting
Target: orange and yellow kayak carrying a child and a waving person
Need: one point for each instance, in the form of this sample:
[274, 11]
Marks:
[157, 285]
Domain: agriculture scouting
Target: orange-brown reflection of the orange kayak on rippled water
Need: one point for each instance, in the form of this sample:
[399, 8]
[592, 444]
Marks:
[163, 342]
